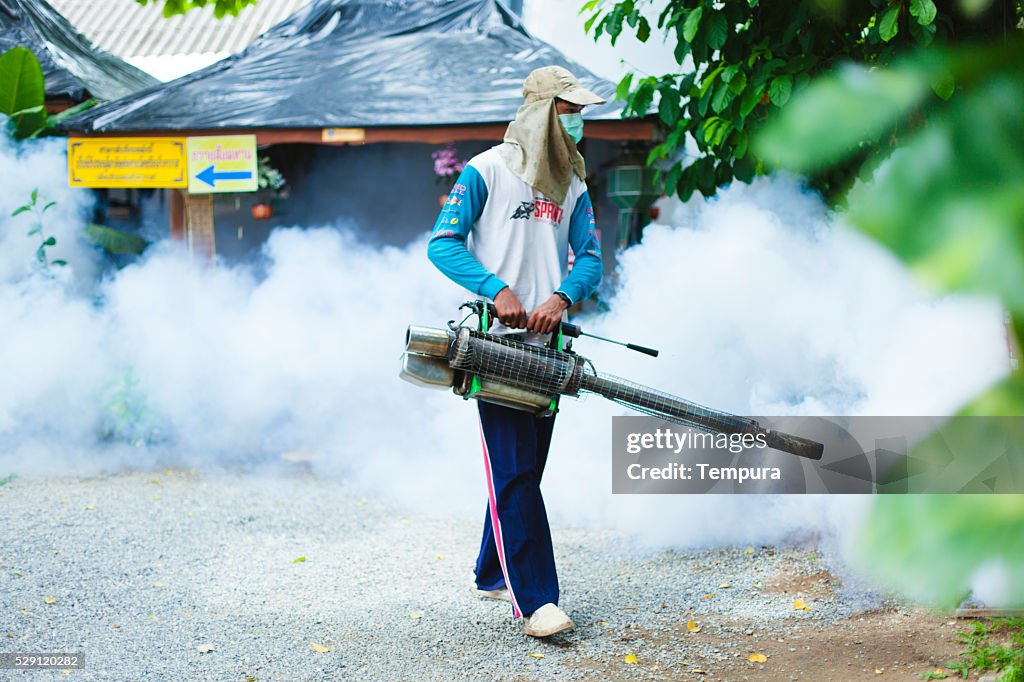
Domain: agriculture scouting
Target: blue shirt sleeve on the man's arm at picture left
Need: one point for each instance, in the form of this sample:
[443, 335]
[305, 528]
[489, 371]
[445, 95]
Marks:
[447, 248]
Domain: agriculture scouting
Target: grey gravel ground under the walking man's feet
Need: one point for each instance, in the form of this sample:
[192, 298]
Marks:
[148, 571]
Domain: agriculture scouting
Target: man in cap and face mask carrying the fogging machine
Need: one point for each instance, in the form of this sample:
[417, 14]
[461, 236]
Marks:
[504, 235]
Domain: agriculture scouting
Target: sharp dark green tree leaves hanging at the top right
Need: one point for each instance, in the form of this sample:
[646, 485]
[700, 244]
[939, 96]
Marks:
[740, 62]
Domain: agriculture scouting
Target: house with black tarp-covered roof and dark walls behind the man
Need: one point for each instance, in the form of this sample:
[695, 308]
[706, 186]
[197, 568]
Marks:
[349, 99]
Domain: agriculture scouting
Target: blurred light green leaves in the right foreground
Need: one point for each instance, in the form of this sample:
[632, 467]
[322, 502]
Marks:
[948, 201]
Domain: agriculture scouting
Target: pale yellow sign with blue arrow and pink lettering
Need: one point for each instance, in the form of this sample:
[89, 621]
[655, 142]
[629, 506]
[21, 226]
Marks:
[227, 163]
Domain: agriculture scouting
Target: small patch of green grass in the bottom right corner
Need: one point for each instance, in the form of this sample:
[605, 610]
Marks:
[996, 646]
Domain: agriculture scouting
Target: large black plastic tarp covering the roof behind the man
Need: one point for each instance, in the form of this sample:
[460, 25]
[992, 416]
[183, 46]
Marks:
[360, 64]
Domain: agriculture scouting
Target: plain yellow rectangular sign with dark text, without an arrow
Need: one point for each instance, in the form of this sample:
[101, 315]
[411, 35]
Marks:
[126, 162]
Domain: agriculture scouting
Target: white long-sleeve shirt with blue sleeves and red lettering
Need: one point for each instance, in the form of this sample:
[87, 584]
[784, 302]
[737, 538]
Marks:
[496, 231]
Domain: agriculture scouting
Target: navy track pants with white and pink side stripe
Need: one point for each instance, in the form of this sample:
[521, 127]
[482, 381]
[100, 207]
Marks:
[517, 549]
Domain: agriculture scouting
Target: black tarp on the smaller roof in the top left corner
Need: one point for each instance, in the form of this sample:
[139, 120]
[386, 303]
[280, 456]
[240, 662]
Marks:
[74, 68]
